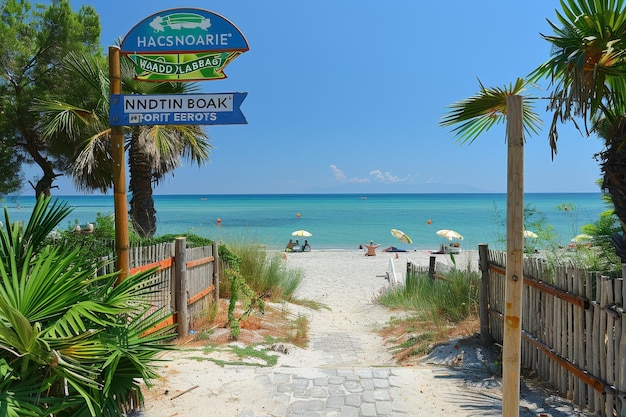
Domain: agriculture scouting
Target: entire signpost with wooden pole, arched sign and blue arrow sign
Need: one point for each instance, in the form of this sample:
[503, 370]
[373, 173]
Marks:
[175, 45]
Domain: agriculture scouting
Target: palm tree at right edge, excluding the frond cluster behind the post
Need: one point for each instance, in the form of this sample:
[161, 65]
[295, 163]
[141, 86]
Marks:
[587, 74]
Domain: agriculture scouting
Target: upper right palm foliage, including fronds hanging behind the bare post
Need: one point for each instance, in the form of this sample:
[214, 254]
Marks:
[587, 78]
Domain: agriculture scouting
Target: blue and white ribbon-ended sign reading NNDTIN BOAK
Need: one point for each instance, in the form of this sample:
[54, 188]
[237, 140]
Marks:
[177, 109]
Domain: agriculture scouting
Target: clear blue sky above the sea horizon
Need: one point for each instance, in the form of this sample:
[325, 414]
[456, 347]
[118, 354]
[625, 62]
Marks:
[346, 96]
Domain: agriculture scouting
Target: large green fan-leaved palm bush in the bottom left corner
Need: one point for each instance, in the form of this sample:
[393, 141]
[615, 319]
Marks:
[71, 343]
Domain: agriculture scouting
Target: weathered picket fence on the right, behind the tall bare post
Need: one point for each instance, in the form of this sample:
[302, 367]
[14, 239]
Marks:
[573, 328]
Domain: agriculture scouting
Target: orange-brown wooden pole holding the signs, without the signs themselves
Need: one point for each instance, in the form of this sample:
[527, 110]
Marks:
[119, 174]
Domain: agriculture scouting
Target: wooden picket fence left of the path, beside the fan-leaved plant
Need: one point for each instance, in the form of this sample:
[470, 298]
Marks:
[189, 278]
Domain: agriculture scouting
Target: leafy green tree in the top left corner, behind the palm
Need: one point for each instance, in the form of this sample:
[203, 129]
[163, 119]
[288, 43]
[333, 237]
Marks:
[33, 44]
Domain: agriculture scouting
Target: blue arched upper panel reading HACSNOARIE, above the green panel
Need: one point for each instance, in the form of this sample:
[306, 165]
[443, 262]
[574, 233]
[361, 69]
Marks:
[183, 30]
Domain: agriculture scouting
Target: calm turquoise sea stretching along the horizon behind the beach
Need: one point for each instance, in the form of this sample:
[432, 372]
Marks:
[341, 221]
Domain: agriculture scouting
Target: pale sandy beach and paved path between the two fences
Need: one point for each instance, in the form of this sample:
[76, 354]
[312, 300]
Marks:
[346, 369]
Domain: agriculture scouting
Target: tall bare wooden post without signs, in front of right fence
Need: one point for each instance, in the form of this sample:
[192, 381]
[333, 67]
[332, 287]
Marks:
[511, 352]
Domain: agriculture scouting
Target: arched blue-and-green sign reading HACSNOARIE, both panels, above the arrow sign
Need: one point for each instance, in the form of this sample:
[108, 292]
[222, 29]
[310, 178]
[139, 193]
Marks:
[183, 45]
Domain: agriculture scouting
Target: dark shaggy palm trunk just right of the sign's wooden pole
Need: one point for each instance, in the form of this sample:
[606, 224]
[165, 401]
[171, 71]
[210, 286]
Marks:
[142, 212]
